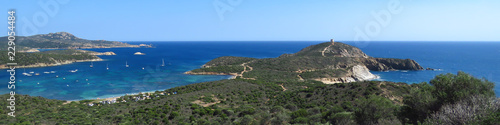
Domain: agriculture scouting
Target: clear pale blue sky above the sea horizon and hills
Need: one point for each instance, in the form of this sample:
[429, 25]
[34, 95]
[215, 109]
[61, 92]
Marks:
[284, 20]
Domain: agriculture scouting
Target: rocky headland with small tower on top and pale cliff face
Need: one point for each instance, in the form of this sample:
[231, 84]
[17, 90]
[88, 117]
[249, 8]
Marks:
[329, 62]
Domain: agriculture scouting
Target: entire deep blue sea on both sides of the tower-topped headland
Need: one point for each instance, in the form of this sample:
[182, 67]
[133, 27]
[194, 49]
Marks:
[481, 59]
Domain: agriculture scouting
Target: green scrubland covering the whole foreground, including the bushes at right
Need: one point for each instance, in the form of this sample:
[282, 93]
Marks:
[241, 101]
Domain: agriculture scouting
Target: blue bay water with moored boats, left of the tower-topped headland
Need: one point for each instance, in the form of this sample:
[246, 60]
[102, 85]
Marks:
[97, 82]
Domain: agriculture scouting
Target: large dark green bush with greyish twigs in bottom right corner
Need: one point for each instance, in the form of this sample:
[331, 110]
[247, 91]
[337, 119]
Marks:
[450, 98]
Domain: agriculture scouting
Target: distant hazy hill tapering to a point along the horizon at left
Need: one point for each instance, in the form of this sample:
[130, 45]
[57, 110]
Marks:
[60, 40]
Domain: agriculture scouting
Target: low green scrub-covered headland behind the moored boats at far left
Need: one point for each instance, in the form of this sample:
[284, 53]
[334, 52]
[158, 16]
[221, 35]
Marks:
[47, 57]
